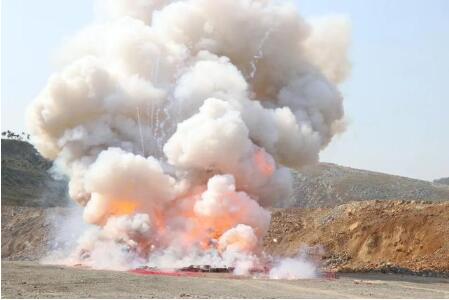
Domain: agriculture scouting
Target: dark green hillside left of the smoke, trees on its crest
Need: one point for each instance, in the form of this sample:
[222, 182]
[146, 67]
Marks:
[26, 180]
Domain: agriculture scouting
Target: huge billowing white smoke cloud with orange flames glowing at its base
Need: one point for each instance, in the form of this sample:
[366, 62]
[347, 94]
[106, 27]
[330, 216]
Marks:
[177, 121]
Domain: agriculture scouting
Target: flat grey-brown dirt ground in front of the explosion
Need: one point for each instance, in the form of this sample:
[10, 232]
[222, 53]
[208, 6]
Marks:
[31, 280]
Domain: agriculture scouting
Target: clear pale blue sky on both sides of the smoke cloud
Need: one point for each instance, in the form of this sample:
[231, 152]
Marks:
[396, 99]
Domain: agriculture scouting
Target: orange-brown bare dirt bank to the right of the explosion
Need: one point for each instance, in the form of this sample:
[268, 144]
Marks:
[368, 235]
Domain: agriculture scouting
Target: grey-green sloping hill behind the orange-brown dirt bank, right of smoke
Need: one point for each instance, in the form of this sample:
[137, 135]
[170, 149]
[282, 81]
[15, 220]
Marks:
[328, 185]
